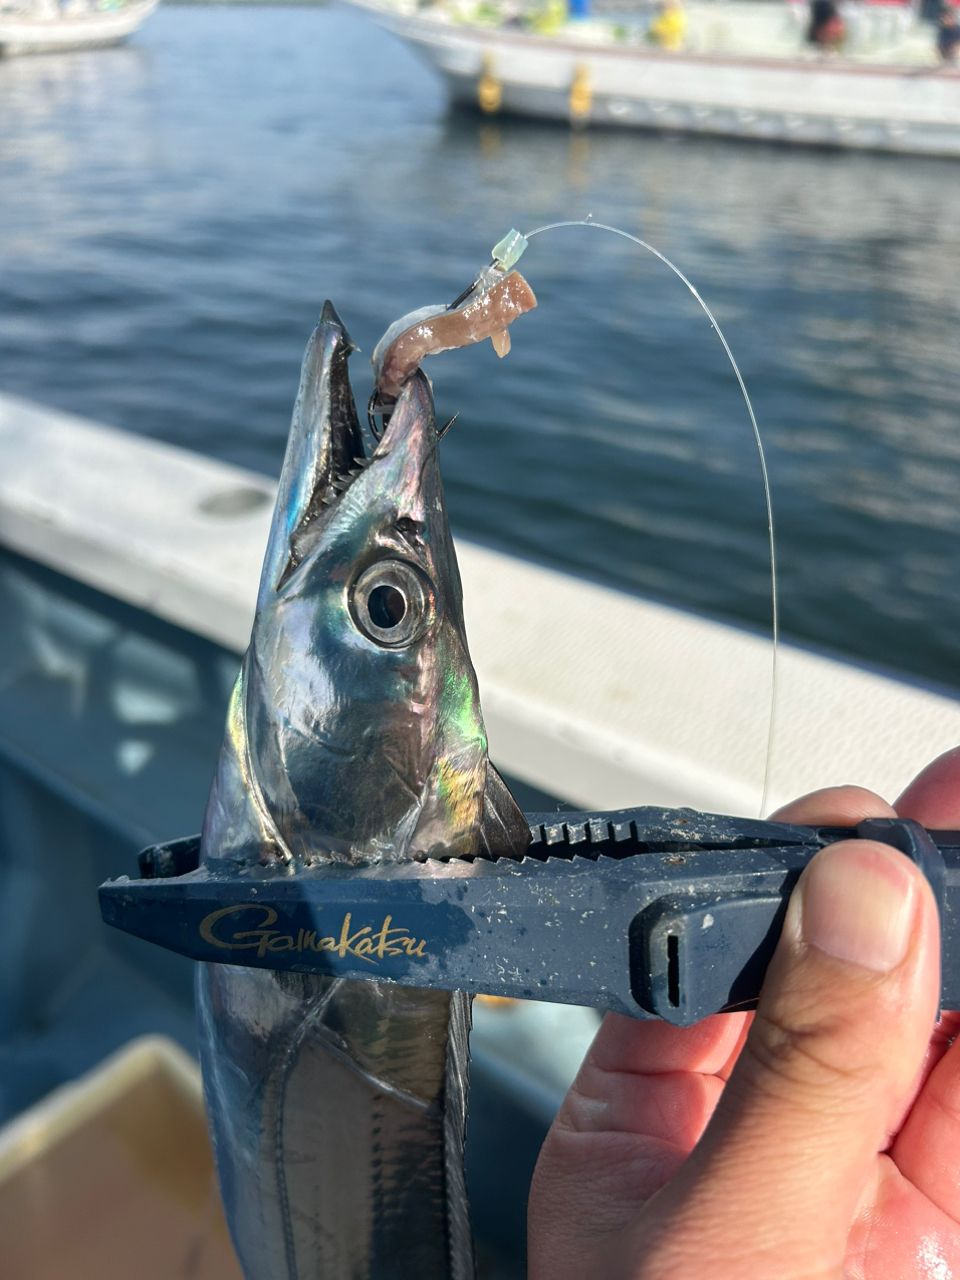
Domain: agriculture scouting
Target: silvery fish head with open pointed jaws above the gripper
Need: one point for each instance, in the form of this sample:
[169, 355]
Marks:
[356, 732]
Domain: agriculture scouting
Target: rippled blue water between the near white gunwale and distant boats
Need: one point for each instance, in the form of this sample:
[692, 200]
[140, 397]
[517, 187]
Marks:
[173, 213]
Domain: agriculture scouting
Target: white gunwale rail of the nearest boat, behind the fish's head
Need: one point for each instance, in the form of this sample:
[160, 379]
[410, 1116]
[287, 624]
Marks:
[600, 697]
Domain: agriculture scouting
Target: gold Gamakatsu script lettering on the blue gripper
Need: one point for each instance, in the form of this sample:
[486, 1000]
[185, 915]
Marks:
[364, 944]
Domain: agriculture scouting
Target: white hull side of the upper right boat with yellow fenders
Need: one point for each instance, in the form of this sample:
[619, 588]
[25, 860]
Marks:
[835, 103]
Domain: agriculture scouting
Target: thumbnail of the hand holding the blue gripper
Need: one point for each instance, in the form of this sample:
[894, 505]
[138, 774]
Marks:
[858, 906]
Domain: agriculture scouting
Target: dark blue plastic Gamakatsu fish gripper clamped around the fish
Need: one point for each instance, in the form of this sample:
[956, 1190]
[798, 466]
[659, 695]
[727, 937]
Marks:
[656, 913]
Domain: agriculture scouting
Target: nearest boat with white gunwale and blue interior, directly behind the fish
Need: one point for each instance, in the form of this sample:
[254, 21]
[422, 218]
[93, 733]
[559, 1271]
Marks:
[129, 574]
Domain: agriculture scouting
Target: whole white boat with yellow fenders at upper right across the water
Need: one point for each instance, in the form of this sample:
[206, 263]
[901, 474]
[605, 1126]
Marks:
[744, 72]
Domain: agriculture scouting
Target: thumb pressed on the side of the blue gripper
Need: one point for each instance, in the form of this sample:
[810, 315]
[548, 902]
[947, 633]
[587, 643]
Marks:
[836, 1046]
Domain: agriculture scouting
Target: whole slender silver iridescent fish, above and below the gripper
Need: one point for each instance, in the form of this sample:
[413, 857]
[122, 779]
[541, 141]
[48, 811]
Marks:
[354, 735]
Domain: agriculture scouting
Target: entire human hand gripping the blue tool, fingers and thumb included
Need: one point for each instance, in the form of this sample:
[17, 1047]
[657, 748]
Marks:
[819, 1139]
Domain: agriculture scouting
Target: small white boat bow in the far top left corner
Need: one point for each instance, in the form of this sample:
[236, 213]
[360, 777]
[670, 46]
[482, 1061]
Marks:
[47, 28]
